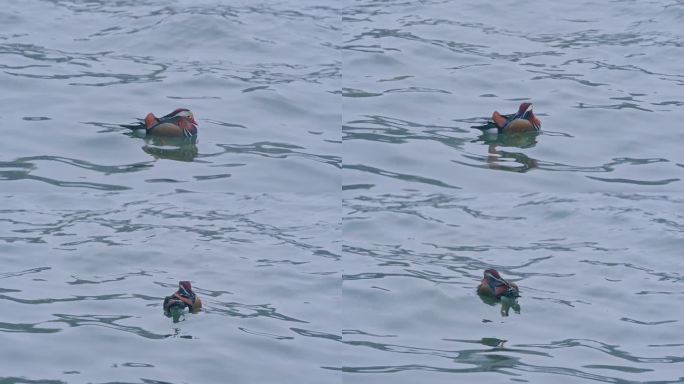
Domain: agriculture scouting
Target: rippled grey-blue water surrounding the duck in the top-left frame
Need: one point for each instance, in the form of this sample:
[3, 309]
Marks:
[261, 79]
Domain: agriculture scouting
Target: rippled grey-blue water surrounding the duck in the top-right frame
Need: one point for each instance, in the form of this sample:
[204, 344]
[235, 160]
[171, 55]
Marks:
[605, 79]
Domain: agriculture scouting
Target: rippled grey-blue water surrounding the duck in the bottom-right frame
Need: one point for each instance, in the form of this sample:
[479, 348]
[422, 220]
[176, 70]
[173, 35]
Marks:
[599, 277]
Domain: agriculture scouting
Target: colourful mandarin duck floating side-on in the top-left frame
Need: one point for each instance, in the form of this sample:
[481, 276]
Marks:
[179, 123]
